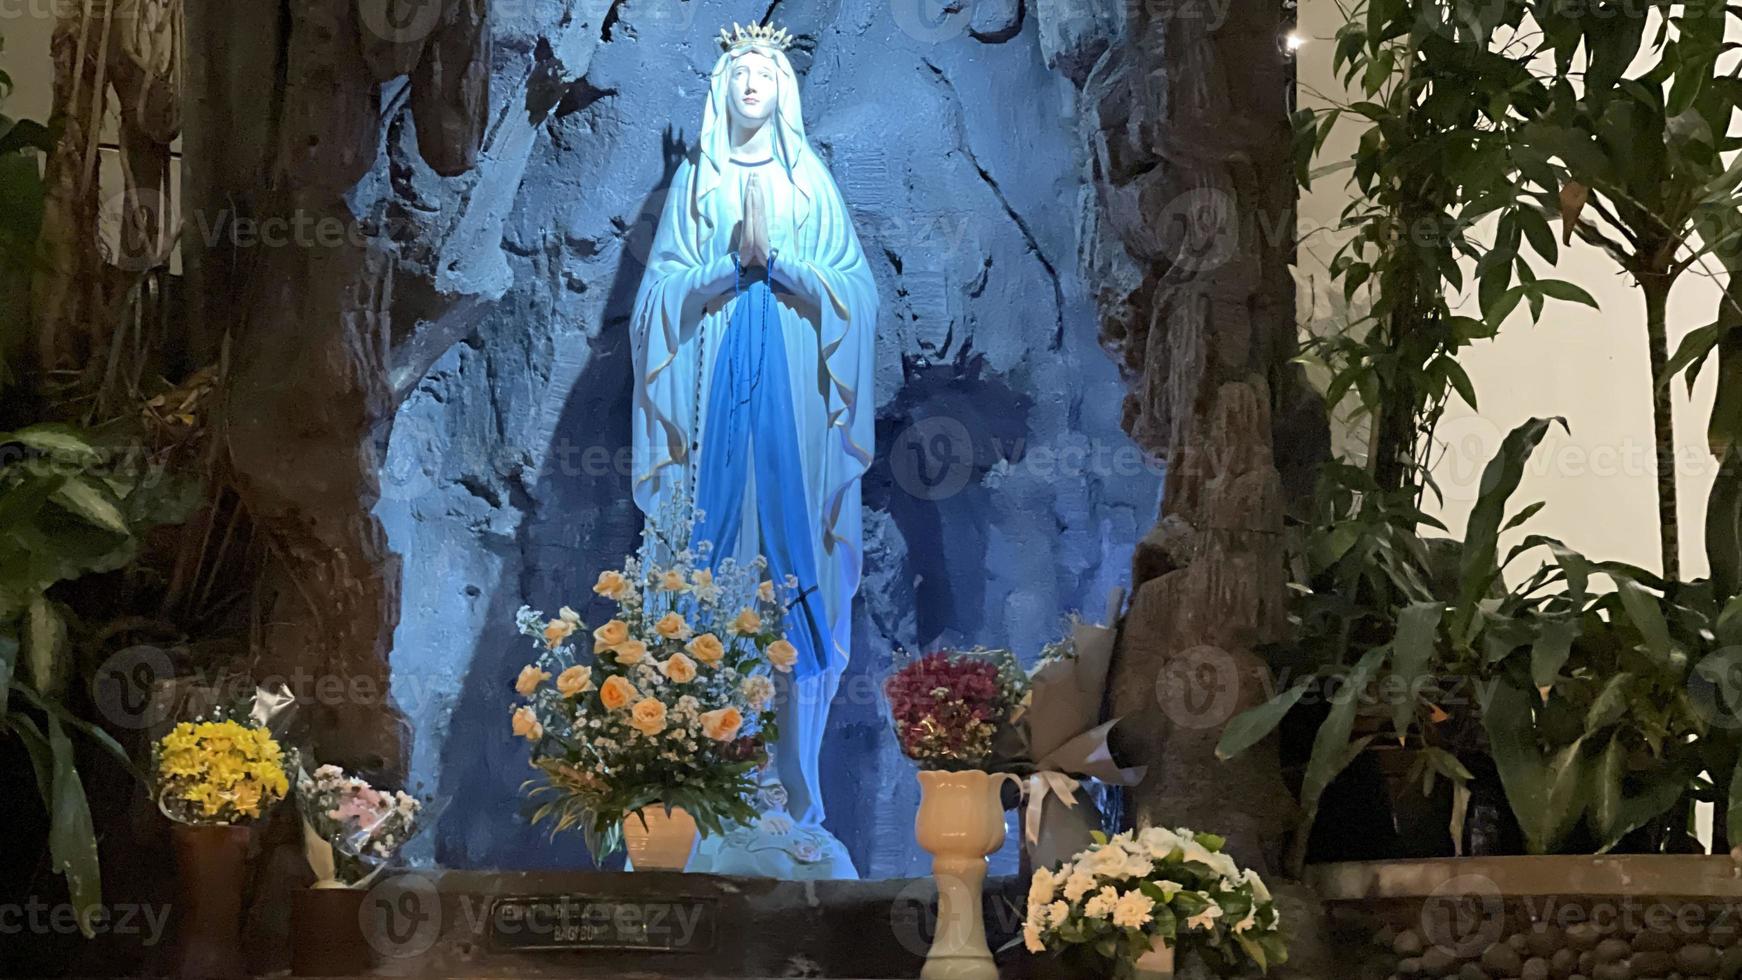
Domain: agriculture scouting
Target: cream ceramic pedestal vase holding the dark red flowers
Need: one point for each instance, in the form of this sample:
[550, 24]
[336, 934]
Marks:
[961, 824]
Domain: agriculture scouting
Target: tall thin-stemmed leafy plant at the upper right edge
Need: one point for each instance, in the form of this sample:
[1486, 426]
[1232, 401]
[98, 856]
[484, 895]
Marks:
[1637, 166]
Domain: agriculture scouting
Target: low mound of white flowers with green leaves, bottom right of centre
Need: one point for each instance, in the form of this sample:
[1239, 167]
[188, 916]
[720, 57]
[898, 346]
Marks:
[1152, 894]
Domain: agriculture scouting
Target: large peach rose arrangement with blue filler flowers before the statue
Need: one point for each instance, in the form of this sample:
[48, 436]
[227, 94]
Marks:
[672, 704]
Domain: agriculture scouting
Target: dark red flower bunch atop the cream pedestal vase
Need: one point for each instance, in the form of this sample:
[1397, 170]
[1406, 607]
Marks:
[949, 708]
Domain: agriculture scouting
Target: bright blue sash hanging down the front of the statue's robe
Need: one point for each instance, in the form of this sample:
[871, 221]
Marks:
[750, 431]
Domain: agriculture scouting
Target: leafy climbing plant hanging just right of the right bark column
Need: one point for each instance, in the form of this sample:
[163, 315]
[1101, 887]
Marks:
[1440, 86]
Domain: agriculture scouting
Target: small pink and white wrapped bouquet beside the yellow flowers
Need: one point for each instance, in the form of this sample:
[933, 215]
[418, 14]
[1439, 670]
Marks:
[353, 829]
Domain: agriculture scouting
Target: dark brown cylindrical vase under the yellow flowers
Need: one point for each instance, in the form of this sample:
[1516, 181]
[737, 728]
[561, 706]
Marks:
[212, 869]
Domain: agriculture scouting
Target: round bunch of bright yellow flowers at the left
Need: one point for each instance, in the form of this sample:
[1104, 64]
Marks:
[219, 772]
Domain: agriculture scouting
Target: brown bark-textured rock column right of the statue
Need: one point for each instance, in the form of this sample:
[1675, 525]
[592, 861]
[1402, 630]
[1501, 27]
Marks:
[1189, 250]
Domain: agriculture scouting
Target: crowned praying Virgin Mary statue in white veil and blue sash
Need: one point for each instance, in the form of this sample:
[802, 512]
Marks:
[753, 351]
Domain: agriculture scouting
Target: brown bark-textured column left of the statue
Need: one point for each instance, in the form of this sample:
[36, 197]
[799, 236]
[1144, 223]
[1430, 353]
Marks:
[307, 297]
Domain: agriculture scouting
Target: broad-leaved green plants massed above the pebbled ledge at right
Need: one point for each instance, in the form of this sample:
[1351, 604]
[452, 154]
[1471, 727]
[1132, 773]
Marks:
[1583, 699]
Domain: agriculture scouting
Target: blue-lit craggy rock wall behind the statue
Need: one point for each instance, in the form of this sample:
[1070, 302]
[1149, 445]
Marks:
[1004, 495]
